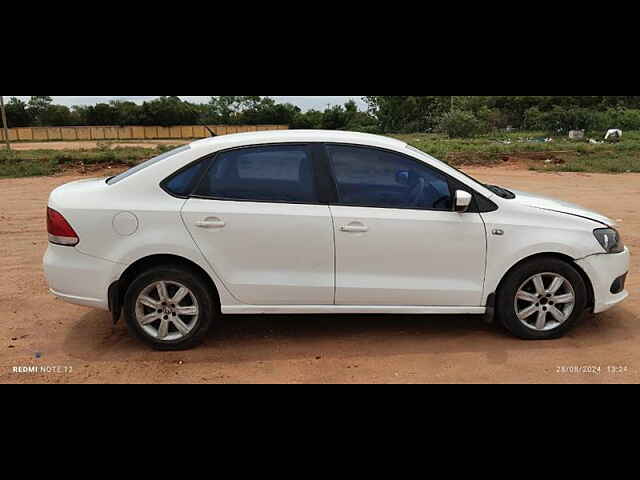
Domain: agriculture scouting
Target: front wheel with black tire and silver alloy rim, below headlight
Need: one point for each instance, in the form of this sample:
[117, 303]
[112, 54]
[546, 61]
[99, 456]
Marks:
[523, 282]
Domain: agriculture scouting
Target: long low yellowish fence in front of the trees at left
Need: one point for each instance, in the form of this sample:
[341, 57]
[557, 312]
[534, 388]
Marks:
[68, 134]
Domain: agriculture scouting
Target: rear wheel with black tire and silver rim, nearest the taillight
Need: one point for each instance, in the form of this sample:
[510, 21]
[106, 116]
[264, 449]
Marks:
[185, 322]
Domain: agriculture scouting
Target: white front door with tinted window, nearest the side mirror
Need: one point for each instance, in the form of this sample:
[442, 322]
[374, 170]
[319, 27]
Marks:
[398, 240]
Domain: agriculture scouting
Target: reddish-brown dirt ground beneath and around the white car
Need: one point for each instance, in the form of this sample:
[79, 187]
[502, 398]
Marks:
[79, 345]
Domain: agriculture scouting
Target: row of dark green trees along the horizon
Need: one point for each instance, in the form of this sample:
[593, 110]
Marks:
[384, 114]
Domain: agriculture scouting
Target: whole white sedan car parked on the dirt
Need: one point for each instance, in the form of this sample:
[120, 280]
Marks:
[294, 222]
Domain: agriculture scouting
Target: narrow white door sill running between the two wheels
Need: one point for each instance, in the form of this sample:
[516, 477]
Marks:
[348, 309]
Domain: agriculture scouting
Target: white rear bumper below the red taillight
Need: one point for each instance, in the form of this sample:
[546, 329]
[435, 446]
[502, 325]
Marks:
[78, 278]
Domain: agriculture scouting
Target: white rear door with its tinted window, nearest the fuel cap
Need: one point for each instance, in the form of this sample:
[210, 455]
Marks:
[257, 219]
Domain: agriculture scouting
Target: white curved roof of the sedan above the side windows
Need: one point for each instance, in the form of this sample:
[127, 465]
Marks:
[282, 136]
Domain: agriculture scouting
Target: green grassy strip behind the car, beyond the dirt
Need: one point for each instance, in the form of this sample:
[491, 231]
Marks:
[560, 155]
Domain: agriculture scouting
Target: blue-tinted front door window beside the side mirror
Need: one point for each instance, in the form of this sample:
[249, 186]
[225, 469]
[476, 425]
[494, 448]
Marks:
[370, 177]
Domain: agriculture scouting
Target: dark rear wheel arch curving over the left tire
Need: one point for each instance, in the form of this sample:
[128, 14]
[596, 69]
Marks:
[118, 289]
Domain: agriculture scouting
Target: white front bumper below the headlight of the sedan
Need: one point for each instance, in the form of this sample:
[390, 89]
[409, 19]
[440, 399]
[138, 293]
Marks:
[604, 270]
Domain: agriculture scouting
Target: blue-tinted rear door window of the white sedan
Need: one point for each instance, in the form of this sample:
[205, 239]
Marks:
[276, 173]
